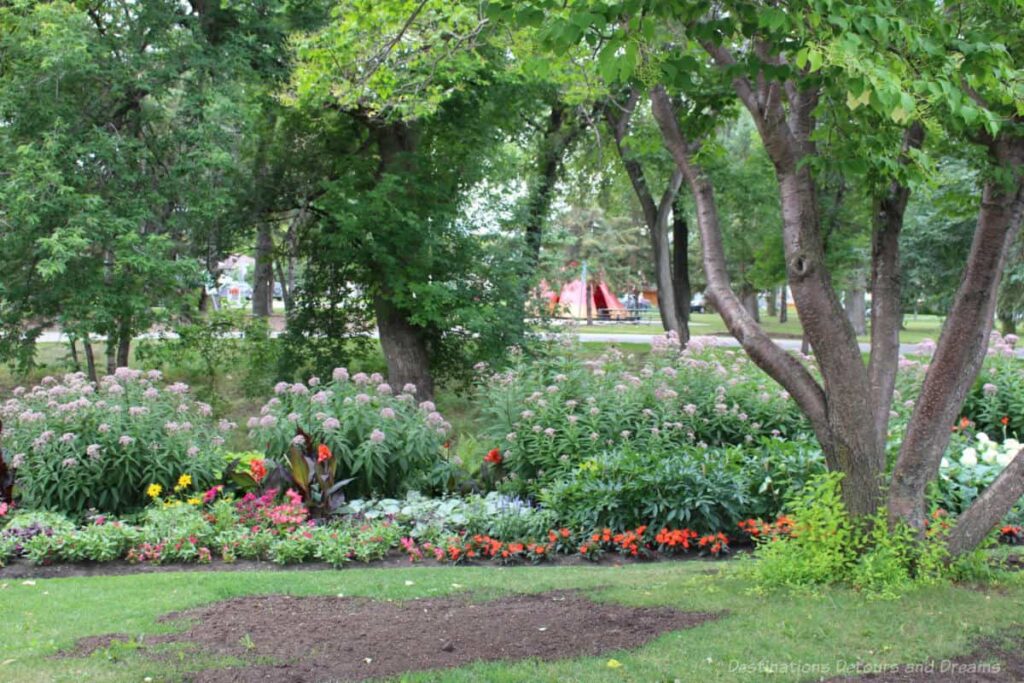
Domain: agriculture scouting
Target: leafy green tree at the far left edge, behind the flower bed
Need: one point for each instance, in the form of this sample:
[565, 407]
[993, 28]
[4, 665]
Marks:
[118, 148]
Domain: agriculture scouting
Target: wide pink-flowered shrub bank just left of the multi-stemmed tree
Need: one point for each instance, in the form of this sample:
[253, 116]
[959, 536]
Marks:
[552, 414]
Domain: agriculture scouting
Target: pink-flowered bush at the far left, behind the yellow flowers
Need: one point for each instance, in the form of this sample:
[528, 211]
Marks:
[78, 446]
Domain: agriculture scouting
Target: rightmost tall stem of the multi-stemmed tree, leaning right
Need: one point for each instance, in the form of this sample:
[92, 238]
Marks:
[962, 346]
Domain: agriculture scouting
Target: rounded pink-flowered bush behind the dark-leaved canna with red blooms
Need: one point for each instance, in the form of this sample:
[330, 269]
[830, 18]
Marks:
[387, 442]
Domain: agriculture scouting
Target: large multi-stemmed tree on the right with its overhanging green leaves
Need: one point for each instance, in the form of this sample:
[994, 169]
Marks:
[884, 75]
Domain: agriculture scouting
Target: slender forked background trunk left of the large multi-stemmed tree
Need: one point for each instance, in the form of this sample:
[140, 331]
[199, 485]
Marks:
[656, 216]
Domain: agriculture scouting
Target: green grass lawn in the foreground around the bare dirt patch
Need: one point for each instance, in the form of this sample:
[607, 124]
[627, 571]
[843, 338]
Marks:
[783, 630]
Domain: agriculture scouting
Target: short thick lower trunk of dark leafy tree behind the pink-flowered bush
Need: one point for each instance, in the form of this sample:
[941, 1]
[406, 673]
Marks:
[405, 350]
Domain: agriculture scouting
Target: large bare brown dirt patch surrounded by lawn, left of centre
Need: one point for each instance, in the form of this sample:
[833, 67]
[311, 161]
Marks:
[324, 638]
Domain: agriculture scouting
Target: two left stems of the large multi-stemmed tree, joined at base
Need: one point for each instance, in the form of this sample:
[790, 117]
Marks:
[841, 415]
